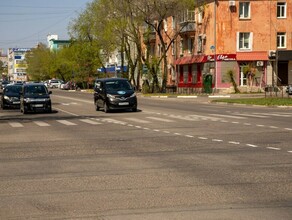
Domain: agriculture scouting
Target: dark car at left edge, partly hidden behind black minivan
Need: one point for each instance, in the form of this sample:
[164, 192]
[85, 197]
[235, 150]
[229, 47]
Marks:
[10, 96]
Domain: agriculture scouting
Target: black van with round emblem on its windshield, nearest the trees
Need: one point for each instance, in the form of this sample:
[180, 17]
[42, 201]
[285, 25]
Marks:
[114, 94]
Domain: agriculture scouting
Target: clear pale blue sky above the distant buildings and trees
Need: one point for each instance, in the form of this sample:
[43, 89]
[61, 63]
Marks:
[24, 23]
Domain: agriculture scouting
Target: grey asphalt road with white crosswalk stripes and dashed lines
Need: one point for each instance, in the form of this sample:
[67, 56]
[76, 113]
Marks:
[173, 159]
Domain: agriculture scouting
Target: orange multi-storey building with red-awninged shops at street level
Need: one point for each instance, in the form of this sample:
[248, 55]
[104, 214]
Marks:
[251, 40]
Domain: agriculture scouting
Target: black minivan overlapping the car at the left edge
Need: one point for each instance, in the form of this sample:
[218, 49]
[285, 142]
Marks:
[35, 97]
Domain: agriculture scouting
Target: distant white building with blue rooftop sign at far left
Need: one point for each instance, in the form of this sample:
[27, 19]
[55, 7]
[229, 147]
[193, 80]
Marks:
[17, 64]
